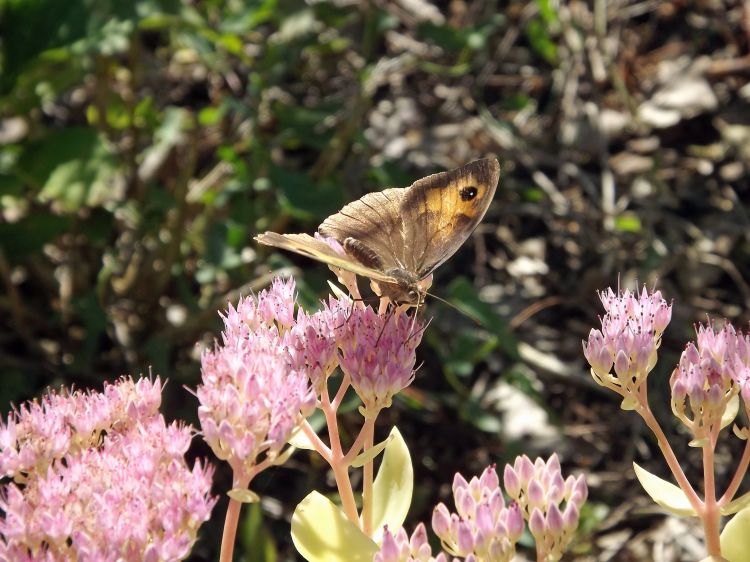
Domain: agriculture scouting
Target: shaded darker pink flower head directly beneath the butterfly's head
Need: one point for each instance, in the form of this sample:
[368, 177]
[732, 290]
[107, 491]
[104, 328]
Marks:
[378, 354]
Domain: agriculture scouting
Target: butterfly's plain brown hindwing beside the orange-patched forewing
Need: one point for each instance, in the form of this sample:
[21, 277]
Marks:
[371, 229]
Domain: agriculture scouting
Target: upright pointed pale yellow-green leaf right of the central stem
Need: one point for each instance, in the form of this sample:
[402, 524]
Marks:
[393, 486]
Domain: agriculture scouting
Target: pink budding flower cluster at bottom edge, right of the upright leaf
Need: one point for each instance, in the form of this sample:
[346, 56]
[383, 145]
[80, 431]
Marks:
[486, 528]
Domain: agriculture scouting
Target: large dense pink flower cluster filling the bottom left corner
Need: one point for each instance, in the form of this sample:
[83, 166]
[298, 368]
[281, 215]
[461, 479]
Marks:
[100, 477]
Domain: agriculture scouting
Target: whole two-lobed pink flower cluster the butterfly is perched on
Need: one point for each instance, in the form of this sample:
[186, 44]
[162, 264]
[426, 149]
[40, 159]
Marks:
[263, 380]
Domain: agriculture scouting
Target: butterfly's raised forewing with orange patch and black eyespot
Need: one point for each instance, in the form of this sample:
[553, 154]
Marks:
[439, 212]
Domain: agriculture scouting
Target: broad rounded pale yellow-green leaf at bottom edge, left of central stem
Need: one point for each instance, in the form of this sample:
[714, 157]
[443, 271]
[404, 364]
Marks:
[322, 533]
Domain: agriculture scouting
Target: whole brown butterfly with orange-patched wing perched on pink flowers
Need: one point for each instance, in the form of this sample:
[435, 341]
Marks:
[398, 236]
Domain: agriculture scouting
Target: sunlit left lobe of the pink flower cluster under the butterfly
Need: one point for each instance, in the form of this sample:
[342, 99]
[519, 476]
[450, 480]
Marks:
[255, 391]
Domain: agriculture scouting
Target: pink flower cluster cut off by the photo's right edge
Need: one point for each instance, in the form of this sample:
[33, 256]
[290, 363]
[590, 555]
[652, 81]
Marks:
[709, 375]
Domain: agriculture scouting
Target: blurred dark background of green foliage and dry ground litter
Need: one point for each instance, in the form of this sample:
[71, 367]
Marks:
[144, 143]
